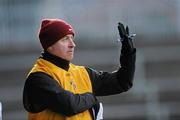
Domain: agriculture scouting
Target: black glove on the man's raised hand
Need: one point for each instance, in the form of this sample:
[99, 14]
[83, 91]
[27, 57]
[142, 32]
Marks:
[126, 40]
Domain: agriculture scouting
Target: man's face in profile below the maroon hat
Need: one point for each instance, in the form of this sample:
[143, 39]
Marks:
[64, 48]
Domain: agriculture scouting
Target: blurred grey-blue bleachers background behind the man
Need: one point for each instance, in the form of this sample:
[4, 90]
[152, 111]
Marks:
[156, 91]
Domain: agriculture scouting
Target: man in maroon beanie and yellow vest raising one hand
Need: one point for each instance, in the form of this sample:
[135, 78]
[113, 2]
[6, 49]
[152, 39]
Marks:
[56, 89]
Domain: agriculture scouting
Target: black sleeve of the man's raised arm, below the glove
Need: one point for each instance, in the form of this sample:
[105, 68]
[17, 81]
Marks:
[105, 83]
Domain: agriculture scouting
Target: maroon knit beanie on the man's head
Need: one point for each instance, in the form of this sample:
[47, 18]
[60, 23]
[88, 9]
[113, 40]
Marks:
[52, 30]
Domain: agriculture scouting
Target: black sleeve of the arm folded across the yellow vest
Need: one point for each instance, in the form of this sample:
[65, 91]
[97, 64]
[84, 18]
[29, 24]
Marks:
[42, 92]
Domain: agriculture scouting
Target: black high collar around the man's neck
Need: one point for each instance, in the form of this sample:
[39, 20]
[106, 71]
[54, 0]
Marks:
[62, 63]
